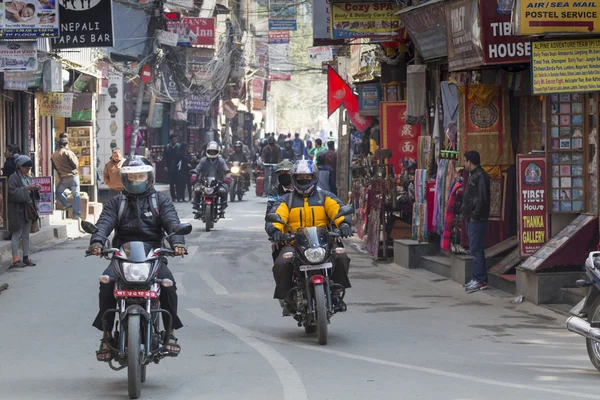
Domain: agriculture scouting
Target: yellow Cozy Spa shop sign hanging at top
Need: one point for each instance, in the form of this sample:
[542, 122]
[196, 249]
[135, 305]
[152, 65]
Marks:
[367, 20]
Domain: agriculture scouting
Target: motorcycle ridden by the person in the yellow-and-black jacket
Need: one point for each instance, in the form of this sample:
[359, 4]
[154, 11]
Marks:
[311, 295]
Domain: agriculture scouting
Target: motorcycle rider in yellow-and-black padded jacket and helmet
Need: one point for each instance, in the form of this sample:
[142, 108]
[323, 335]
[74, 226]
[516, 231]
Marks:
[307, 206]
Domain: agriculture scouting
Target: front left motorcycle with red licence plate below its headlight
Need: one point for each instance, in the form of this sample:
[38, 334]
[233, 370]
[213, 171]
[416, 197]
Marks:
[138, 340]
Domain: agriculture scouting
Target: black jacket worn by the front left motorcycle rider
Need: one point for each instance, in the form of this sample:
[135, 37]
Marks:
[138, 222]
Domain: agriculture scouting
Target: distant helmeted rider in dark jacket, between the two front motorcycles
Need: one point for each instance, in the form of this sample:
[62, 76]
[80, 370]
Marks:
[213, 165]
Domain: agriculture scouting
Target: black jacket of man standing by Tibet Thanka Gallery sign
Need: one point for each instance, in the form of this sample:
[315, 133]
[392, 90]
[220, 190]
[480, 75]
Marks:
[476, 200]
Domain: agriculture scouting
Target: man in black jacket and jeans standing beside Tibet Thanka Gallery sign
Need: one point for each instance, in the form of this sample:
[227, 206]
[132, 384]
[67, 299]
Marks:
[476, 211]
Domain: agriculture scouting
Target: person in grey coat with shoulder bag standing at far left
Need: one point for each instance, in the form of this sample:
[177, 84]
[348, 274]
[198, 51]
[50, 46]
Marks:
[20, 197]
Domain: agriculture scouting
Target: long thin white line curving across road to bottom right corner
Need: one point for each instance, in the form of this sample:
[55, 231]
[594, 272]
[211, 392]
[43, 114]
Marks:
[431, 371]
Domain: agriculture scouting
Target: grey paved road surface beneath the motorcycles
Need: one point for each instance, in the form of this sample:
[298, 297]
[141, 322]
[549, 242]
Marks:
[406, 335]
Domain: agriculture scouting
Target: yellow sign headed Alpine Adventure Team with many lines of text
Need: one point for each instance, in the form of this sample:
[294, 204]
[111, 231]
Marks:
[566, 66]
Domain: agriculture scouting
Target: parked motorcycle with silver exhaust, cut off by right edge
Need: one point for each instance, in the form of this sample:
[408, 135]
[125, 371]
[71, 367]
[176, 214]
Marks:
[586, 315]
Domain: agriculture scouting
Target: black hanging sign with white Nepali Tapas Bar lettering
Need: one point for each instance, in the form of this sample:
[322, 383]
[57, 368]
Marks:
[85, 24]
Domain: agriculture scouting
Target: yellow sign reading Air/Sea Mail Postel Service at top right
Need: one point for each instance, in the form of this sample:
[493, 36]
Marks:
[546, 16]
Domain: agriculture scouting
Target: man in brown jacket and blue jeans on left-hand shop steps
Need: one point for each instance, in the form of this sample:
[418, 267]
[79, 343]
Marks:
[65, 163]
